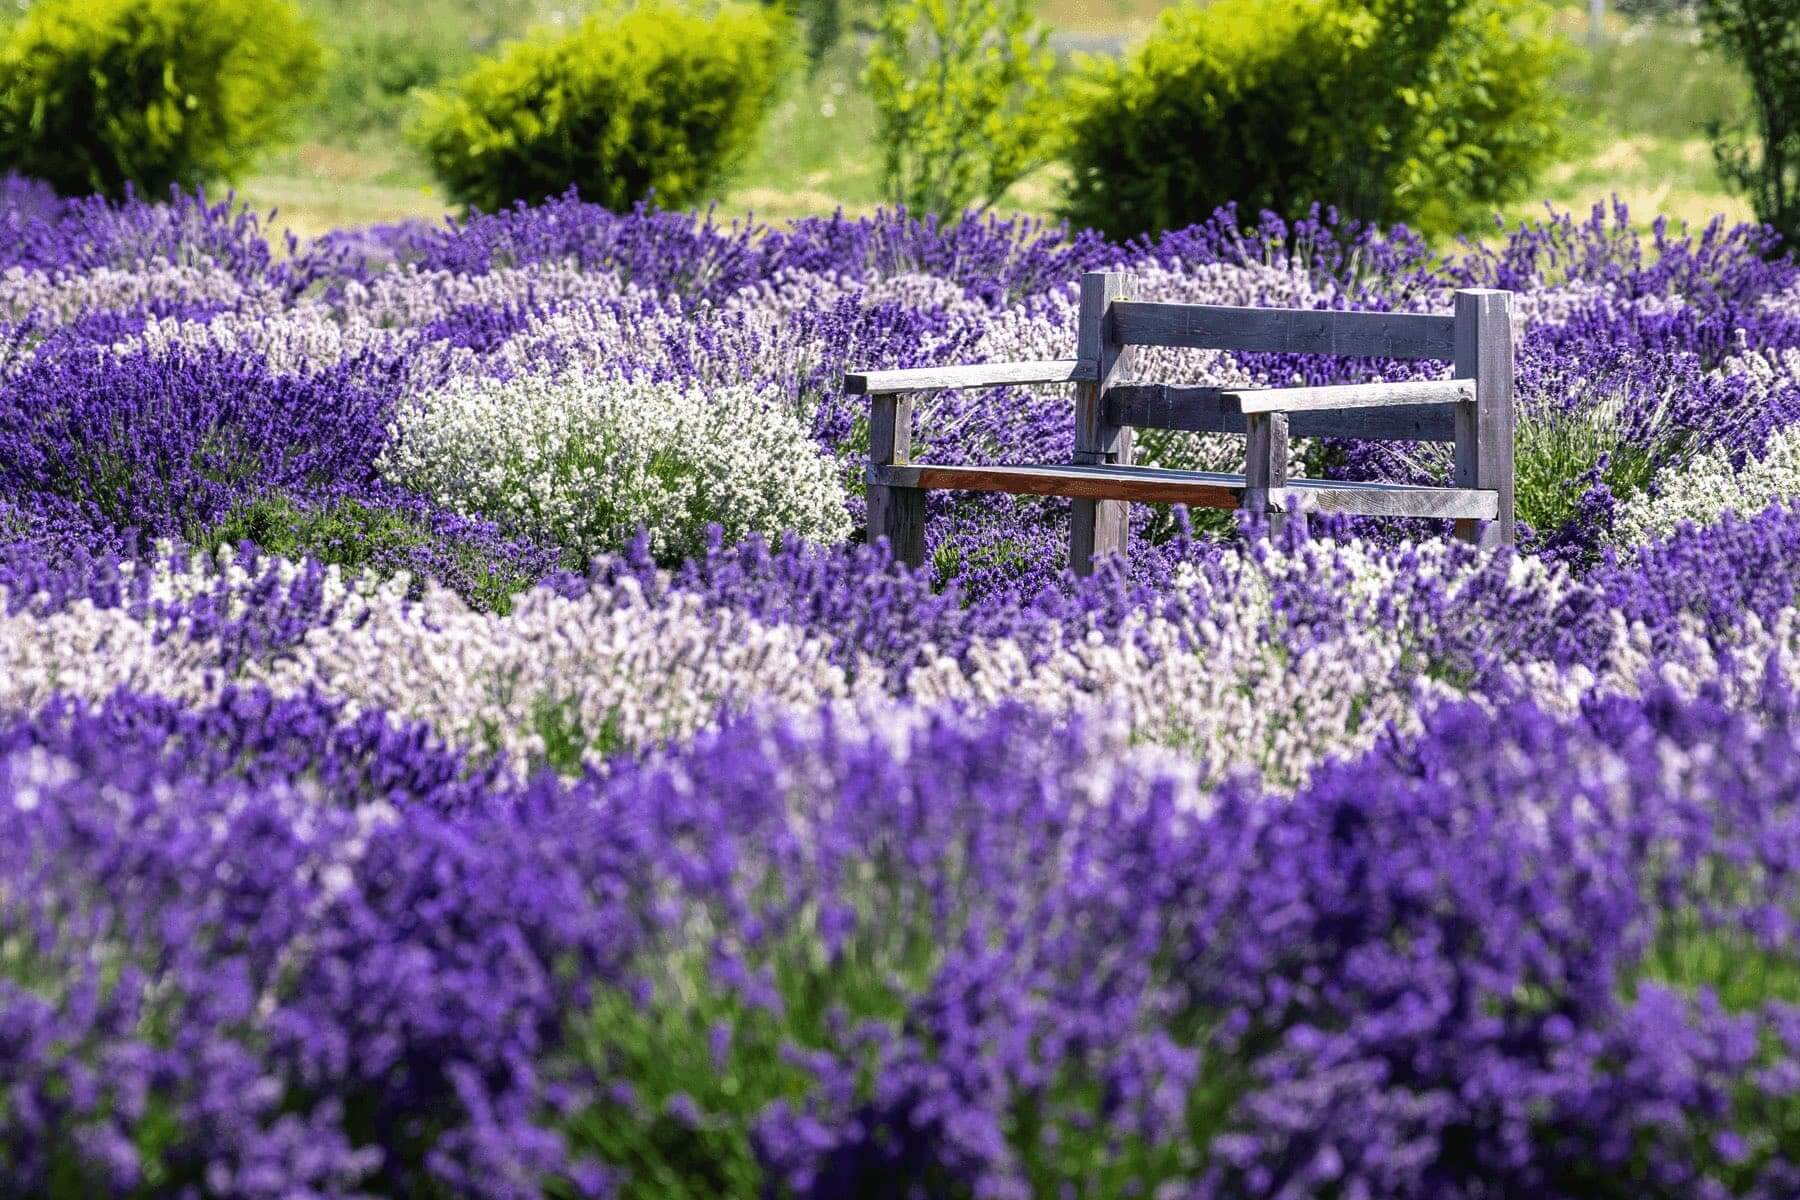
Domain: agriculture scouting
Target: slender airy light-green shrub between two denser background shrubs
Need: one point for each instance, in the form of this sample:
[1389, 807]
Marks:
[964, 102]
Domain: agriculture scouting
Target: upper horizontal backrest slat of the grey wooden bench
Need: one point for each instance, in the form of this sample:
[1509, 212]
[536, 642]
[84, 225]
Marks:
[1286, 330]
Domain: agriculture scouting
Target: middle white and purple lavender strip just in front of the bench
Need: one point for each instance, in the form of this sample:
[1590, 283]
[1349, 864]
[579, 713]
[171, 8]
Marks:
[1261, 658]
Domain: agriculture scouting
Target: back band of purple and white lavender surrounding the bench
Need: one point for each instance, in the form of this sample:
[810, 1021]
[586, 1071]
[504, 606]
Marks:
[514, 330]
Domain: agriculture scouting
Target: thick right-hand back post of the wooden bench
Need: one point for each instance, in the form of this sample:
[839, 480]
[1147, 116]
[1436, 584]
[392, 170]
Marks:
[1484, 429]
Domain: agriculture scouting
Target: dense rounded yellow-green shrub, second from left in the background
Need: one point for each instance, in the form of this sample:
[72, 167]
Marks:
[656, 100]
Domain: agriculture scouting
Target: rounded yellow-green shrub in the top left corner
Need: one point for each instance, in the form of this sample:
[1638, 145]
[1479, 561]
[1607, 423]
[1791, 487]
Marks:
[103, 94]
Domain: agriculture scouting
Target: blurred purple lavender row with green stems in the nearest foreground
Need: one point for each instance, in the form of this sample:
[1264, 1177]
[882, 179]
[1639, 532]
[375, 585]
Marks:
[262, 951]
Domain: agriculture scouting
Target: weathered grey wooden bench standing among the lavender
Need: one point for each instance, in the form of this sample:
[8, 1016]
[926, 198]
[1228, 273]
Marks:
[1473, 411]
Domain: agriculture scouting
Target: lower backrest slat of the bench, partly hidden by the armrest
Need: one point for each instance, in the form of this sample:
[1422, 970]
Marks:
[1205, 411]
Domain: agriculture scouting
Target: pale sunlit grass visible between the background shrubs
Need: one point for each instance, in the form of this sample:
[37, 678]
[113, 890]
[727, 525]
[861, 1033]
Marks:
[1641, 112]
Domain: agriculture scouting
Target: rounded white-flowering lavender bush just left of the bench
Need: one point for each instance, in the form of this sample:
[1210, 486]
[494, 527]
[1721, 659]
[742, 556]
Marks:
[584, 461]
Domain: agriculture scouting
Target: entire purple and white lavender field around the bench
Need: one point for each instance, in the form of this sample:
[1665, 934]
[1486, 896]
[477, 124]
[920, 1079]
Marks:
[454, 740]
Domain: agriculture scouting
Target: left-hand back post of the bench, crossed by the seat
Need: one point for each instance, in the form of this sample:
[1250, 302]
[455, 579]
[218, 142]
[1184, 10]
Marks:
[1099, 526]
